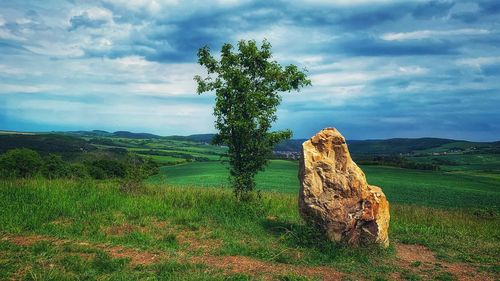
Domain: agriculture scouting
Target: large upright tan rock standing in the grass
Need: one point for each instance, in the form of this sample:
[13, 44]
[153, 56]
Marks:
[335, 196]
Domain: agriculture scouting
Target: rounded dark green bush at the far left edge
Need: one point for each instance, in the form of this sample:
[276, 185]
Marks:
[20, 163]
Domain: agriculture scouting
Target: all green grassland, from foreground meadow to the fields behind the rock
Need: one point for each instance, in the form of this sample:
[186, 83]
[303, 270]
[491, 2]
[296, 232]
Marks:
[185, 223]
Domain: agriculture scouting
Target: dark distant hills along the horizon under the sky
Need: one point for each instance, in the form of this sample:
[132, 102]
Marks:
[395, 146]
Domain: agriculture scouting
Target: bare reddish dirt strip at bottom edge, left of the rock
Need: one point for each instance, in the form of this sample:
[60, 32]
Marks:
[246, 265]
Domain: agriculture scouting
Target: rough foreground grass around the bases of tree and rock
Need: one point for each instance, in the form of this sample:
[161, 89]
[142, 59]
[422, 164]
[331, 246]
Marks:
[85, 221]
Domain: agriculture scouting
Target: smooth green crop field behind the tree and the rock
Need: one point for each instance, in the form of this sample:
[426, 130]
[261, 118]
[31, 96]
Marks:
[428, 188]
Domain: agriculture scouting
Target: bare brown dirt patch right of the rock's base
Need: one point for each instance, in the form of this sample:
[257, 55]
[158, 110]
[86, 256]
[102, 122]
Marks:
[421, 261]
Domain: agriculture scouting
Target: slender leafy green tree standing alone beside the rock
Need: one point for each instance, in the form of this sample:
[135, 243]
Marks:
[247, 84]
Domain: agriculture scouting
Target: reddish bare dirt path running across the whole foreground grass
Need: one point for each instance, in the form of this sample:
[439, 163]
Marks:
[414, 259]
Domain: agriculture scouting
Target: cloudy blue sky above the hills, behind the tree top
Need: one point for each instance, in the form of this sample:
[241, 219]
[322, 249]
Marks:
[379, 69]
